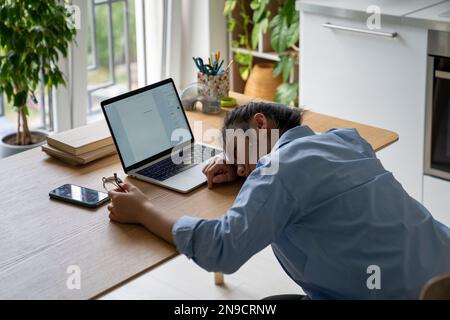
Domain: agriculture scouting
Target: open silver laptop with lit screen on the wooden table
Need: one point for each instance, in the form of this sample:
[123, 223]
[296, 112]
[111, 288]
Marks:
[154, 139]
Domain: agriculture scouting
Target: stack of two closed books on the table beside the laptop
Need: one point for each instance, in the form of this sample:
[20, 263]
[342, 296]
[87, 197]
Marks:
[82, 145]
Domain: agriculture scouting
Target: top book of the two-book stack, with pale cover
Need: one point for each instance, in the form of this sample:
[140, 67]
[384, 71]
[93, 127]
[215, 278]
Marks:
[82, 140]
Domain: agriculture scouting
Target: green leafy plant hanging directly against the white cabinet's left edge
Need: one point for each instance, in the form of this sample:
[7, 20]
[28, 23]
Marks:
[285, 36]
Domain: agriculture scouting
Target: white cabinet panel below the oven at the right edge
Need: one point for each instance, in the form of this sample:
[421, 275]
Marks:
[436, 198]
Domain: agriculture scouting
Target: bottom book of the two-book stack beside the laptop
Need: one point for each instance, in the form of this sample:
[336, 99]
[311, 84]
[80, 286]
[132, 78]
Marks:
[80, 159]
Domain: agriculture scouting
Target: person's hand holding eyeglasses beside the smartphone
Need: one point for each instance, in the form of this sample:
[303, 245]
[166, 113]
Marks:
[129, 206]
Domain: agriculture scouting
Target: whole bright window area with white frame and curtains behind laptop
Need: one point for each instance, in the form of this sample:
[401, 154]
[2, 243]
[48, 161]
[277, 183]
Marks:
[126, 44]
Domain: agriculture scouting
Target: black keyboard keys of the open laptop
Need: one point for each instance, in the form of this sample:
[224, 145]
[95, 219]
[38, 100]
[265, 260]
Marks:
[166, 168]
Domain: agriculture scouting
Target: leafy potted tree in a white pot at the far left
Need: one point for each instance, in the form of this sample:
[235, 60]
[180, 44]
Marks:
[34, 35]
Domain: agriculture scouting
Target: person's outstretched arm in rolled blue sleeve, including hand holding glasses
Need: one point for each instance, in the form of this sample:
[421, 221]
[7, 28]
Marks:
[260, 213]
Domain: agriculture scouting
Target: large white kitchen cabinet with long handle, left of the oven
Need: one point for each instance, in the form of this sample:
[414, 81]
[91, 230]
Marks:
[371, 79]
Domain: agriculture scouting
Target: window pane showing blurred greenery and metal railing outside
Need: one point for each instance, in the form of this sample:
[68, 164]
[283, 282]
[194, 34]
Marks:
[112, 56]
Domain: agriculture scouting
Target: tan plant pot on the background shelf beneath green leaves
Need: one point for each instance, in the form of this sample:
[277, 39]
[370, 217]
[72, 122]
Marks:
[261, 83]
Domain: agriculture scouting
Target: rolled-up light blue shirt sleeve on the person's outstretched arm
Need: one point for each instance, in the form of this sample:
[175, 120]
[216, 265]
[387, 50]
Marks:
[260, 213]
